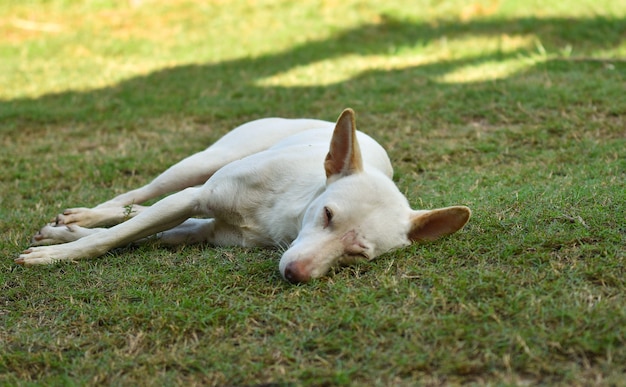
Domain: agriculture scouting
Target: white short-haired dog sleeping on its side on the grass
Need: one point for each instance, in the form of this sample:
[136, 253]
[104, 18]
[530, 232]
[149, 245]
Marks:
[270, 182]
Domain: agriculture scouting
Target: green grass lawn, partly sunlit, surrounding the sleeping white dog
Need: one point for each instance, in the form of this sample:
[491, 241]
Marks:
[513, 108]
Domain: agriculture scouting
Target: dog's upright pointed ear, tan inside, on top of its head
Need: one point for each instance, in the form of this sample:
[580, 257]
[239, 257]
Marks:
[344, 156]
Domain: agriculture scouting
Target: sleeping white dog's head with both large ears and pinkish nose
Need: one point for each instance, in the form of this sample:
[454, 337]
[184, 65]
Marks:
[360, 215]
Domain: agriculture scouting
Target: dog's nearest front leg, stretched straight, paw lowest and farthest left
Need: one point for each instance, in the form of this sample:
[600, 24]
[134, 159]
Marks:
[164, 215]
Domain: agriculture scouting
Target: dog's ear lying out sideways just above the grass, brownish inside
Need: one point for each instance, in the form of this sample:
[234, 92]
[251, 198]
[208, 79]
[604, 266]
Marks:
[432, 224]
